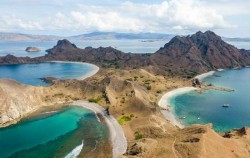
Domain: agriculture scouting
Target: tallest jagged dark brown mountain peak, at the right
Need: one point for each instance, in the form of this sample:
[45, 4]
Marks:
[200, 52]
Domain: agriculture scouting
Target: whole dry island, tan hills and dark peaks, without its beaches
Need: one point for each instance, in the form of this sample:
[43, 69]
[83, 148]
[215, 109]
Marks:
[131, 86]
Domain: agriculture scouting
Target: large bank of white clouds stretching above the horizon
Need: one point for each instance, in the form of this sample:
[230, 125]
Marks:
[170, 15]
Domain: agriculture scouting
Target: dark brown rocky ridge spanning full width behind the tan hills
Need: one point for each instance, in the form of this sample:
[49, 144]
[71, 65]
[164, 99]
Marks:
[185, 56]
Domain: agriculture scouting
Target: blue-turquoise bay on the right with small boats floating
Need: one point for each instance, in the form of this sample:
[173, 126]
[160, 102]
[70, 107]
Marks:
[208, 105]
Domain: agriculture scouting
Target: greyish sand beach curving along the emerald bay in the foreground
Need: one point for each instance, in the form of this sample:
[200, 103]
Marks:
[117, 136]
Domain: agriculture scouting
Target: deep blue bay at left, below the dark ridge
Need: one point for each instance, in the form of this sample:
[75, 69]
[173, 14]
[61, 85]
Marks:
[31, 73]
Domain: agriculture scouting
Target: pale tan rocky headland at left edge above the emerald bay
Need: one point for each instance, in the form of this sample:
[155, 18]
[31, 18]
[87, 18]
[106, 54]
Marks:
[17, 100]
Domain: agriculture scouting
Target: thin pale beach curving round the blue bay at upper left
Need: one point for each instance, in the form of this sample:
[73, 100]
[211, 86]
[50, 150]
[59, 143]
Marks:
[93, 72]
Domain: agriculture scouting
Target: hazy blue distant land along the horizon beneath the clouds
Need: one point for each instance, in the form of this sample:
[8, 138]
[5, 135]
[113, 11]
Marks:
[144, 37]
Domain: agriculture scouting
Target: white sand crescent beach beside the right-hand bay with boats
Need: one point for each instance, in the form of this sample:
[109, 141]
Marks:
[164, 103]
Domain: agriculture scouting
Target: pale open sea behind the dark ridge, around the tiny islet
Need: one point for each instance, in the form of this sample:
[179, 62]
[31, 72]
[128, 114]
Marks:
[133, 46]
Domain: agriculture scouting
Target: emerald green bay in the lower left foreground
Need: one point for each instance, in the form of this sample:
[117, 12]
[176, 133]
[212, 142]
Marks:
[52, 134]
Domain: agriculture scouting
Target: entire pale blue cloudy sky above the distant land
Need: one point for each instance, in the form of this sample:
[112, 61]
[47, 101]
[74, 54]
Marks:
[227, 18]
